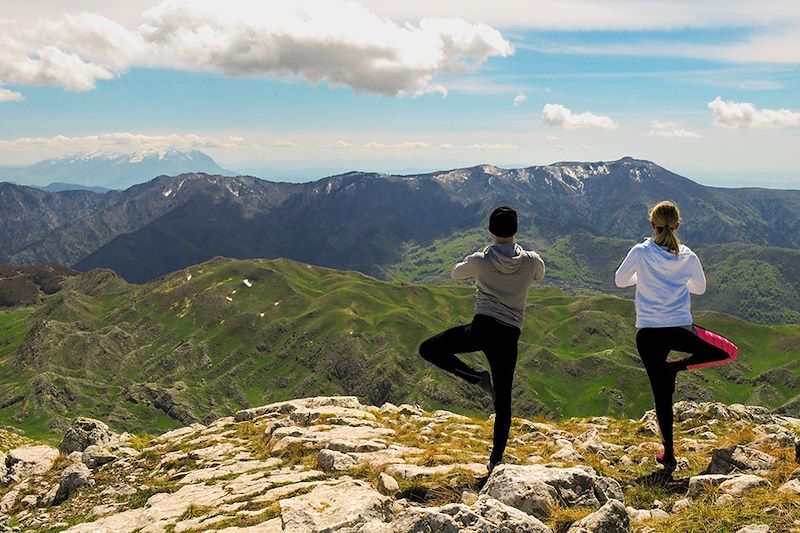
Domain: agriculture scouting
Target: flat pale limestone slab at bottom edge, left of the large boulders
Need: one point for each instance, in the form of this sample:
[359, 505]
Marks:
[342, 506]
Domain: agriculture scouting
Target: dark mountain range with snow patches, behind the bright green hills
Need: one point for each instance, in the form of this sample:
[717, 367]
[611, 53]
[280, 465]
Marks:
[582, 217]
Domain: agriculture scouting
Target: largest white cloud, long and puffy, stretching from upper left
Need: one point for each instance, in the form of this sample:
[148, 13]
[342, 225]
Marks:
[336, 41]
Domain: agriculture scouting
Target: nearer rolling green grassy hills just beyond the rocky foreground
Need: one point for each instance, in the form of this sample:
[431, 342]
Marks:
[201, 343]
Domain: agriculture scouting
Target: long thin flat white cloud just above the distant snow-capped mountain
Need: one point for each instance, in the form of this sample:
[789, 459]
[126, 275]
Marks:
[123, 142]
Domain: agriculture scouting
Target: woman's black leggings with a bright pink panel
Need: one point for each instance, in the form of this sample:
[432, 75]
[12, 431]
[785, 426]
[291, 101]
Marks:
[654, 344]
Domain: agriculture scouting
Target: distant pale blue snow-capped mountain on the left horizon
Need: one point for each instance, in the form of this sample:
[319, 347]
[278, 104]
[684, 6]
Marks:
[112, 170]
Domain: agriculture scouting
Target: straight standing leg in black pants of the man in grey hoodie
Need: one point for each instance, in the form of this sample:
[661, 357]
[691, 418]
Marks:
[502, 360]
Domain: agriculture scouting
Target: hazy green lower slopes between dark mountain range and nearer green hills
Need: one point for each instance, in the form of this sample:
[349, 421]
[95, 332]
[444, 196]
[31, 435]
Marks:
[757, 283]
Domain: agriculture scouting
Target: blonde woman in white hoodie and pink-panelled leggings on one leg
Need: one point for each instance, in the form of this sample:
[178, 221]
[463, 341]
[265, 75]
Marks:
[665, 273]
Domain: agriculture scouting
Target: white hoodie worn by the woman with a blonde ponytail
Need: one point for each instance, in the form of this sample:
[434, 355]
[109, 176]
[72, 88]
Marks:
[663, 283]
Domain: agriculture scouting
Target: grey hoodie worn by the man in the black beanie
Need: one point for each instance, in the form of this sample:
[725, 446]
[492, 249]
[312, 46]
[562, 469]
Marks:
[503, 272]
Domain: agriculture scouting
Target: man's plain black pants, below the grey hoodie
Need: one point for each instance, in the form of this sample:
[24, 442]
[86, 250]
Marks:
[498, 341]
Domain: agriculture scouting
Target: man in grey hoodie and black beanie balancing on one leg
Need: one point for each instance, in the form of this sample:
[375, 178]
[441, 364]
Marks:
[502, 272]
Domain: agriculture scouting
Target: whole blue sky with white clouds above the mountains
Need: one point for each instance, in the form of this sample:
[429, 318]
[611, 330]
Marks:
[294, 88]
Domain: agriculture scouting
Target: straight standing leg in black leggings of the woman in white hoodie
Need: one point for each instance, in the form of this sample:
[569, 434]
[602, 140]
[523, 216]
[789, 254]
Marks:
[653, 347]
